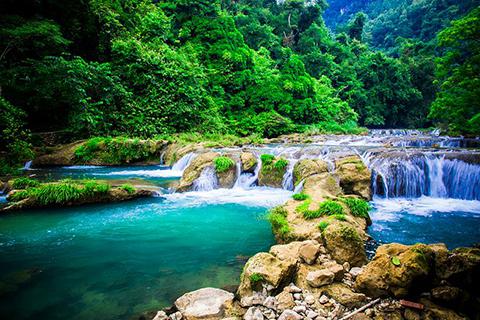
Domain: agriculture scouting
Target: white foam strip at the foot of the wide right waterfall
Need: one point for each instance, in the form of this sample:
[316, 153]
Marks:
[389, 209]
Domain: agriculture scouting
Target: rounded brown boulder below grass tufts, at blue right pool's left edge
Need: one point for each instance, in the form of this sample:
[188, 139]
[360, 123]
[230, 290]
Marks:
[345, 244]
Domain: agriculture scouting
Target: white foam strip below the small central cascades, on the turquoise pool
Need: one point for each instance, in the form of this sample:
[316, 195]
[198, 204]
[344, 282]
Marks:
[253, 197]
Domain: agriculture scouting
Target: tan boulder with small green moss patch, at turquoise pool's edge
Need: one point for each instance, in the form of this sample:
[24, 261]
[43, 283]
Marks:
[265, 269]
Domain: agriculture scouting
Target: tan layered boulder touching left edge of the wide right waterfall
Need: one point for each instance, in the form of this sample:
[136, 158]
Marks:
[354, 176]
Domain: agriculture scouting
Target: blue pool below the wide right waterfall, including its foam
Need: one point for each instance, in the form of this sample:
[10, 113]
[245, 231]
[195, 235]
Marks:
[427, 220]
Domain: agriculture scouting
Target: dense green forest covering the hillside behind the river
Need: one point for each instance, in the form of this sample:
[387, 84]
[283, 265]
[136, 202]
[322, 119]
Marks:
[146, 68]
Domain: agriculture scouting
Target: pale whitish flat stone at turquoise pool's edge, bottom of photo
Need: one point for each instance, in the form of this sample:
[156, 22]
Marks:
[206, 303]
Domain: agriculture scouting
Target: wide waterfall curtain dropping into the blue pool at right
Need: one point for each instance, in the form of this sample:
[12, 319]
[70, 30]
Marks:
[424, 175]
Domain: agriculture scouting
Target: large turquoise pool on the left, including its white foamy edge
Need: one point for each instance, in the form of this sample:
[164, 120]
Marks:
[117, 261]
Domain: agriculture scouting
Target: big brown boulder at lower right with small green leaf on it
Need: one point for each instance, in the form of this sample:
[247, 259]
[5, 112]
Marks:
[397, 270]
